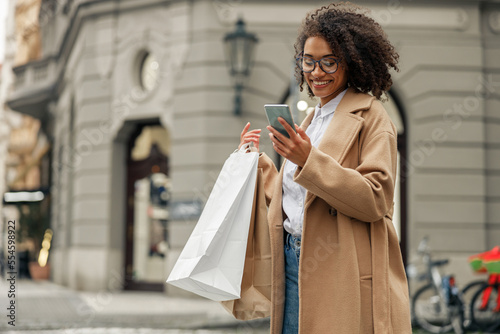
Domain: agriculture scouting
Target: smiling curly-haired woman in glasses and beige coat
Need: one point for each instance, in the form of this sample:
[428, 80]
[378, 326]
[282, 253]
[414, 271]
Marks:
[337, 264]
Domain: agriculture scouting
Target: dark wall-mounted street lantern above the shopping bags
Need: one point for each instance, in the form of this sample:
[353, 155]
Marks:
[240, 46]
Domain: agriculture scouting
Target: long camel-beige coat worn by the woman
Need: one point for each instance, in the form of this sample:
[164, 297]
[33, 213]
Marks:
[351, 274]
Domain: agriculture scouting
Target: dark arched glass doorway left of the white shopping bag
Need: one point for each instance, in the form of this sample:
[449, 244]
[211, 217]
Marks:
[148, 184]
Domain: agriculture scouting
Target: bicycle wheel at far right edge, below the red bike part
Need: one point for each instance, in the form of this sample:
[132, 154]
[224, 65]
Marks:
[485, 308]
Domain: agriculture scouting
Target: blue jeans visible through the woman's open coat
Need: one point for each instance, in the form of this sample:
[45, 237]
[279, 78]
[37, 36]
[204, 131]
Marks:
[292, 255]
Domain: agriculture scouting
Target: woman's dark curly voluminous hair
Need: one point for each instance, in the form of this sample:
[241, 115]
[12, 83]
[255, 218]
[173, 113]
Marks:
[355, 38]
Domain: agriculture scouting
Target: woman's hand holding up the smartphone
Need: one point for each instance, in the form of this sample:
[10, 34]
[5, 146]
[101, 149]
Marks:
[296, 148]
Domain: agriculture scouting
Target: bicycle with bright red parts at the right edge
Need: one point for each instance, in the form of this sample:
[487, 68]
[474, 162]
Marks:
[485, 304]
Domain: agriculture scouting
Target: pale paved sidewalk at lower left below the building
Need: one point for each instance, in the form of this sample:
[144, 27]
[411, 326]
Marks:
[42, 305]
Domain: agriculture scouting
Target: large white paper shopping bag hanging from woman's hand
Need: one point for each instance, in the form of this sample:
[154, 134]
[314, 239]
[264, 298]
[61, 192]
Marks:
[211, 263]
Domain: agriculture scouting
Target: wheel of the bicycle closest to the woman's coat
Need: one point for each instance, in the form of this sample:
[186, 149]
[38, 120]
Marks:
[429, 311]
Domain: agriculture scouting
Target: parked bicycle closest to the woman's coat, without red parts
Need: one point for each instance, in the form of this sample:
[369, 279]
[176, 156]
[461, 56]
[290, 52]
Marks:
[437, 306]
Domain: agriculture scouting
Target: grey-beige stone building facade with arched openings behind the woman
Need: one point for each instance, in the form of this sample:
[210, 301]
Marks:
[137, 101]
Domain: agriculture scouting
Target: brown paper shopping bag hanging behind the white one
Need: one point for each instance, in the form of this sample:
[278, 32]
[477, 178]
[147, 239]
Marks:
[255, 300]
